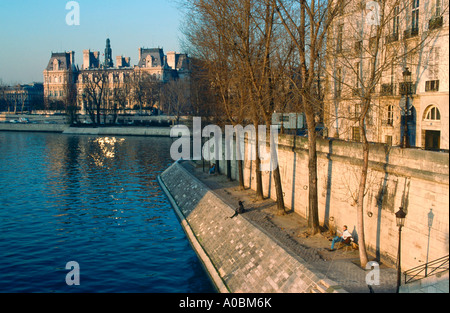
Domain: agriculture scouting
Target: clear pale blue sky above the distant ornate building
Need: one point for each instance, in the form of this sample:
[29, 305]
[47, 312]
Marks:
[30, 30]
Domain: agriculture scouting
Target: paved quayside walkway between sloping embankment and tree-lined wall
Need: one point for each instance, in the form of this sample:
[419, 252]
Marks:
[290, 231]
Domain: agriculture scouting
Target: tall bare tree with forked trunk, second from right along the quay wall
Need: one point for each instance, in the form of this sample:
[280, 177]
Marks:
[307, 24]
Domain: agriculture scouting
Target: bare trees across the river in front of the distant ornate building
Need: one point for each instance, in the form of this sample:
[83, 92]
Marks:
[105, 94]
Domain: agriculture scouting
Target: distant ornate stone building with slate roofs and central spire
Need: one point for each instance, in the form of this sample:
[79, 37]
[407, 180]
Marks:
[62, 73]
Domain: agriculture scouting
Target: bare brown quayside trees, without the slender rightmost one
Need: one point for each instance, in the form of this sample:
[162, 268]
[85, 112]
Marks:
[263, 56]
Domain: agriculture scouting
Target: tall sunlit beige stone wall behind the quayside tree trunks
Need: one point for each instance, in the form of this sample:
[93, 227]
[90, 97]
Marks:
[416, 180]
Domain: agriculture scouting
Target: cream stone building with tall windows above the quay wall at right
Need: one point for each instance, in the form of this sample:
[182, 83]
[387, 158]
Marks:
[410, 90]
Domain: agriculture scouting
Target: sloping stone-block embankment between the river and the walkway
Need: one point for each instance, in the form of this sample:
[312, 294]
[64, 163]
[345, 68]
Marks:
[238, 256]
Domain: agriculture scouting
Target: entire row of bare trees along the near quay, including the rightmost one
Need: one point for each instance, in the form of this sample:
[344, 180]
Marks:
[263, 56]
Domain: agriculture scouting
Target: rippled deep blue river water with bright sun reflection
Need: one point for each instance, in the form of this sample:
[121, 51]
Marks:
[95, 201]
